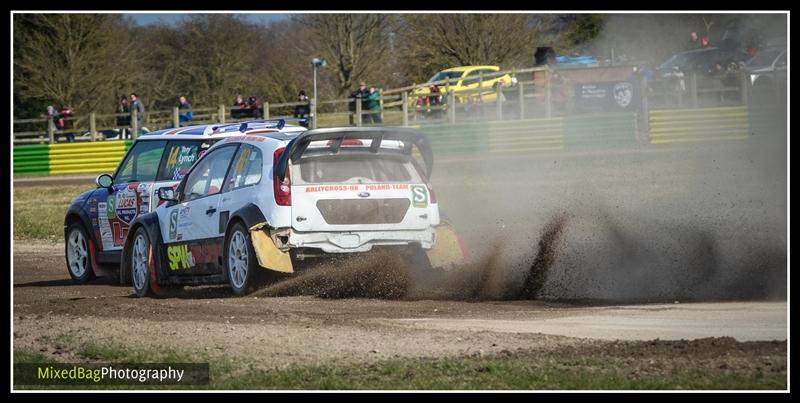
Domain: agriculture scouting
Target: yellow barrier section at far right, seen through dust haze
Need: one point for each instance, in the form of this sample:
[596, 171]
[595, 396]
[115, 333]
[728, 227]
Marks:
[689, 125]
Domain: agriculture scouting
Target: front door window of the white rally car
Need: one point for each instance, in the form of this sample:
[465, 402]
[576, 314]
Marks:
[207, 177]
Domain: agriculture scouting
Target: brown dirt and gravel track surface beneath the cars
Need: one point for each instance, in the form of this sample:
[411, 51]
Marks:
[309, 330]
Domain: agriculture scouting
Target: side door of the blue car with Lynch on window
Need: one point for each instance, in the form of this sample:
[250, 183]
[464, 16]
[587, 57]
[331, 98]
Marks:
[129, 195]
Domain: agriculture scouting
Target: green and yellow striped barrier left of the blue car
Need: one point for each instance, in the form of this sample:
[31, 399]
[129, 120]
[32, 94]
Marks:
[70, 157]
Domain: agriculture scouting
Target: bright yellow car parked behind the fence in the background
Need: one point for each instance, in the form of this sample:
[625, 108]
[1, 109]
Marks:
[465, 82]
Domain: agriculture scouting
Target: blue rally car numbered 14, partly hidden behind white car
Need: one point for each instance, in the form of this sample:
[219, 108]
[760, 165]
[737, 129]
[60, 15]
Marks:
[98, 221]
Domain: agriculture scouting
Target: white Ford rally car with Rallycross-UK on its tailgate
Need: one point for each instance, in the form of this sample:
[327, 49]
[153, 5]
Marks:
[258, 203]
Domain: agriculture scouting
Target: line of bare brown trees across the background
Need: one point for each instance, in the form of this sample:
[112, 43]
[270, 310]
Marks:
[88, 61]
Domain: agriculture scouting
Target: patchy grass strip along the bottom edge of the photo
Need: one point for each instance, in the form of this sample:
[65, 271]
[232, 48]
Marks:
[522, 371]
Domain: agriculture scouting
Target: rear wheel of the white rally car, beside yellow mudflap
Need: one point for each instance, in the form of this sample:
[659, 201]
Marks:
[240, 261]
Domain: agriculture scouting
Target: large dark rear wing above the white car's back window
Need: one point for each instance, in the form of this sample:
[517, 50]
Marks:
[336, 136]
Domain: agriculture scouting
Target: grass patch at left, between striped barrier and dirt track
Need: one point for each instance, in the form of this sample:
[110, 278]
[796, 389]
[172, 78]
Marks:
[39, 211]
